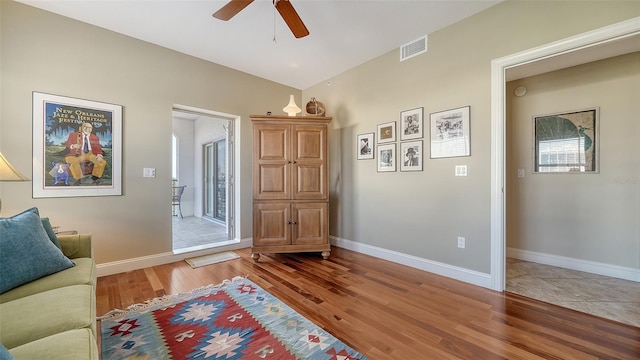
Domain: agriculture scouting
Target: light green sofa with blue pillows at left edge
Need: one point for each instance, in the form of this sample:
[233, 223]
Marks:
[54, 317]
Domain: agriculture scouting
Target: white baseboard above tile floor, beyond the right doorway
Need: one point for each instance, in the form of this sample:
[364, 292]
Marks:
[593, 267]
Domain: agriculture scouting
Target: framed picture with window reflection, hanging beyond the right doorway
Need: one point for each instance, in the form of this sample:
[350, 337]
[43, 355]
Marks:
[566, 142]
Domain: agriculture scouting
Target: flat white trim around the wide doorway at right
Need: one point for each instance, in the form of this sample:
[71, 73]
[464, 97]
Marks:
[499, 67]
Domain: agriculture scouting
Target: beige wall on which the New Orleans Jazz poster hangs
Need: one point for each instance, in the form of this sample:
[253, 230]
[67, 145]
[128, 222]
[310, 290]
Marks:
[49, 53]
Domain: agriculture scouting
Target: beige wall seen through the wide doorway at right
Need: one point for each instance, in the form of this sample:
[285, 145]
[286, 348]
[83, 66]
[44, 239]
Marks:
[592, 216]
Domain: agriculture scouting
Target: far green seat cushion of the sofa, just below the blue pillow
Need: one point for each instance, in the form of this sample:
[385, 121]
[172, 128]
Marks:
[83, 273]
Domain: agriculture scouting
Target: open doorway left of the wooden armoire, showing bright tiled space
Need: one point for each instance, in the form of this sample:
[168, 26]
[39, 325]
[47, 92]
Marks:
[203, 162]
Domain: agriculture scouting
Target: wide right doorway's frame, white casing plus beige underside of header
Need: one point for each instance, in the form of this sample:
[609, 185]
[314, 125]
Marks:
[595, 45]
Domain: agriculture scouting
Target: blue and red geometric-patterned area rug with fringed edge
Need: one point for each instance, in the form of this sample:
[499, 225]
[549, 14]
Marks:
[233, 320]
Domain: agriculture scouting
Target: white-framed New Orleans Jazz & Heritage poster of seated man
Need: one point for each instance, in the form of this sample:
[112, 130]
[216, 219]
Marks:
[77, 147]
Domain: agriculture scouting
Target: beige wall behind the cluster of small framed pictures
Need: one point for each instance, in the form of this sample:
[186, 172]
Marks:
[423, 213]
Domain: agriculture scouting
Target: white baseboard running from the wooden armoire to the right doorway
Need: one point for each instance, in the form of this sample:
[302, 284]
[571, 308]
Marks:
[458, 273]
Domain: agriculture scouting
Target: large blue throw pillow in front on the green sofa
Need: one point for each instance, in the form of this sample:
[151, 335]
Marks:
[26, 252]
